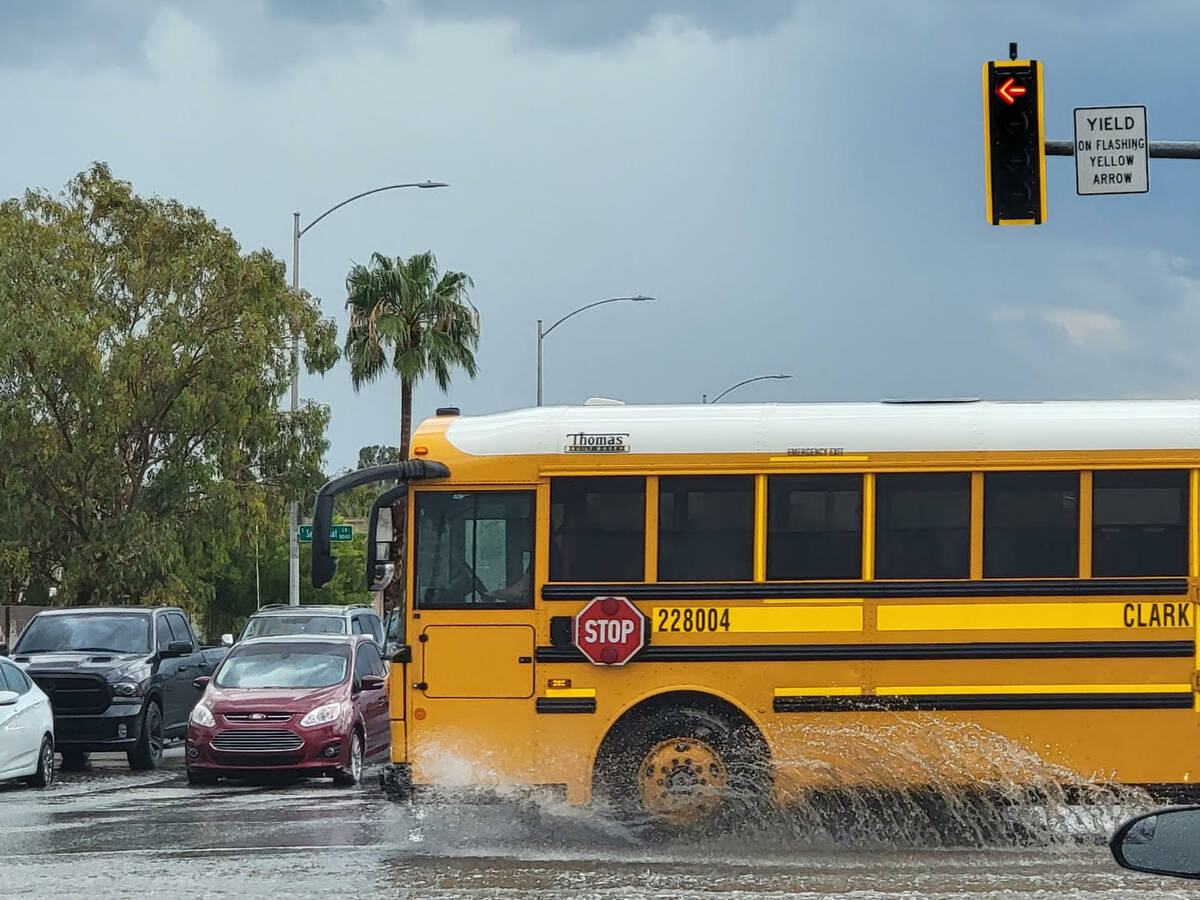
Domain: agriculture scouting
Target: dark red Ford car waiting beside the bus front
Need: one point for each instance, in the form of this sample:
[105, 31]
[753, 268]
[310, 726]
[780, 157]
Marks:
[313, 705]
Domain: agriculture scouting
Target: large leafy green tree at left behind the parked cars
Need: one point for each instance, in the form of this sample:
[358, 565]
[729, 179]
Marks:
[146, 357]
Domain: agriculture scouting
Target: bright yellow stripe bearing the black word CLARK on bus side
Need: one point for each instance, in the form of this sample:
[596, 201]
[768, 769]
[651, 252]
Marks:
[1079, 615]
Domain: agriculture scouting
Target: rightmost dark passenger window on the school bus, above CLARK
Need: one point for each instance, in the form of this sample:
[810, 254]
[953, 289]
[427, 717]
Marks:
[1139, 524]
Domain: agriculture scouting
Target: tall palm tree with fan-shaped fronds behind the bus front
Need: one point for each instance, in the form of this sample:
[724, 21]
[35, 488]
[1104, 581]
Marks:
[407, 319]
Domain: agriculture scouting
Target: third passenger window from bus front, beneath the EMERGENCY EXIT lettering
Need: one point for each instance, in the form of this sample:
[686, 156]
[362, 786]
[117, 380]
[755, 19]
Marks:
[814, 527]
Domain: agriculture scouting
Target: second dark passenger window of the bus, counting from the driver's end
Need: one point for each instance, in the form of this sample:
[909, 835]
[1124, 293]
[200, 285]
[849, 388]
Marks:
[706, 529]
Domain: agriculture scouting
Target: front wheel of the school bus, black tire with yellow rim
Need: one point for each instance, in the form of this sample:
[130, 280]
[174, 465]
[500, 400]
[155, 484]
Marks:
[685, 770]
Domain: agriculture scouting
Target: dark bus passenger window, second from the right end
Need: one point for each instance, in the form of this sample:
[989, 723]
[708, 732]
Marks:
[1031, 525]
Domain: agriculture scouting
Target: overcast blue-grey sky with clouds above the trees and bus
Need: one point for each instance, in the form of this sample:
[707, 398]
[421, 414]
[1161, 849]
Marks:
[800, 184]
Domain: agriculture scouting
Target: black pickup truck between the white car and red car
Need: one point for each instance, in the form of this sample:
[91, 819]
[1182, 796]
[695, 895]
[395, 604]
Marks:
[119, 679]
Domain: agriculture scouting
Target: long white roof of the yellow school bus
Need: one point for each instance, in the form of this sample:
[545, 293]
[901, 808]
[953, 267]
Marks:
[830, 429]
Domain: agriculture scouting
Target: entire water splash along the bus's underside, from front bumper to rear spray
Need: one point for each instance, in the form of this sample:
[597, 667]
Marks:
[905, 783]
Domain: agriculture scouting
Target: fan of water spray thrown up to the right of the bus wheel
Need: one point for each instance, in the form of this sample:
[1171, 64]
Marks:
[917, 783]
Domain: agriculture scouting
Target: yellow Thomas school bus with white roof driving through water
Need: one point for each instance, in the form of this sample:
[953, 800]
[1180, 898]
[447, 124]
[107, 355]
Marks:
[833, 596]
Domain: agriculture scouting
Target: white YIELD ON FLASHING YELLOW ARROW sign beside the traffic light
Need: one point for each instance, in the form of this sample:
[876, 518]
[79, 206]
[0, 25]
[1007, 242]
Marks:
[1112, 152]
